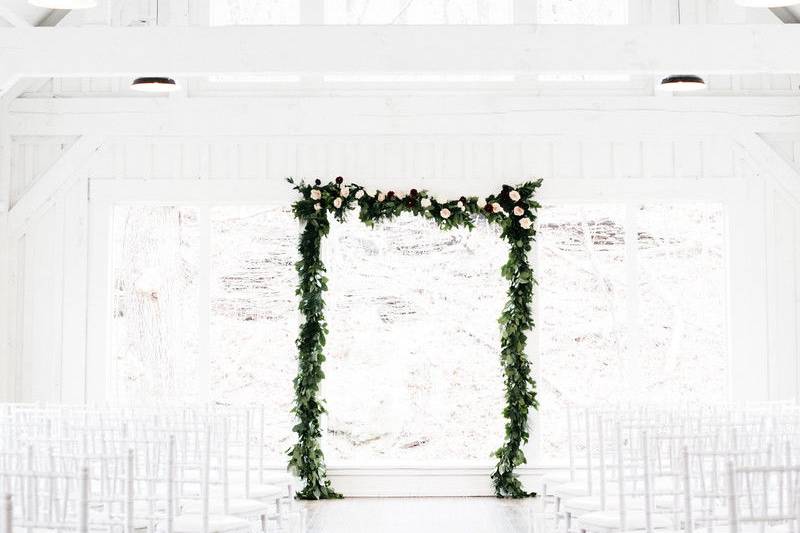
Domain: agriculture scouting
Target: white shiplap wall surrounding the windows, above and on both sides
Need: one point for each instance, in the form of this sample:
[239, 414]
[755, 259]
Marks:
[50, 255]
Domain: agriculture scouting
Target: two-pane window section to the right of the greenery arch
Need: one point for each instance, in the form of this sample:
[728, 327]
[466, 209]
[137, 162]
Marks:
[632, 301]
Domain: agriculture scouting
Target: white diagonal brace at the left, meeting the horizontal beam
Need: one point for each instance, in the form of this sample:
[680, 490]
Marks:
[54, 179]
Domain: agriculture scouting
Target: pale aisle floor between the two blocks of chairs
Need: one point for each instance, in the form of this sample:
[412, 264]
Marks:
[423, 515]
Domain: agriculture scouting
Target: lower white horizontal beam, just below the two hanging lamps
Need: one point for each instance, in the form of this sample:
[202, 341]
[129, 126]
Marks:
[410, 115]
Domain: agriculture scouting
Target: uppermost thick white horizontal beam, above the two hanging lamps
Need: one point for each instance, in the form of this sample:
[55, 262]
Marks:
[186, 51]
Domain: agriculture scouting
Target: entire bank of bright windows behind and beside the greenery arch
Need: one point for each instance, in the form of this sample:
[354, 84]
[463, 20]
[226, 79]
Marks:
[631, 300]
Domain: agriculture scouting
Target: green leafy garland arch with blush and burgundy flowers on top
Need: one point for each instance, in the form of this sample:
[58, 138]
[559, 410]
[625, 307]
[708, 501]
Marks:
[513, 209]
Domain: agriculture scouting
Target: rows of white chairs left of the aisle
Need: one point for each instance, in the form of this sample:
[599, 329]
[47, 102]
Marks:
[181, 470]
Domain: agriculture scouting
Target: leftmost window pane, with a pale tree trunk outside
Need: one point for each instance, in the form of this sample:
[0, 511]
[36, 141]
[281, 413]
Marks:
[155, 307]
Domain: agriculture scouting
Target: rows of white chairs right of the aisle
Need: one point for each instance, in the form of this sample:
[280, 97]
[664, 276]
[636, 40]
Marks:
[692, 470]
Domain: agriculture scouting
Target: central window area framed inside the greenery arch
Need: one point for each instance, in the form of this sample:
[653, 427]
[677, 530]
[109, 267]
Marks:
[413, 372]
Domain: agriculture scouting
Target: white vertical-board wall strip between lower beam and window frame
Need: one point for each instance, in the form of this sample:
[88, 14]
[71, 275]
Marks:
[392, 158]
